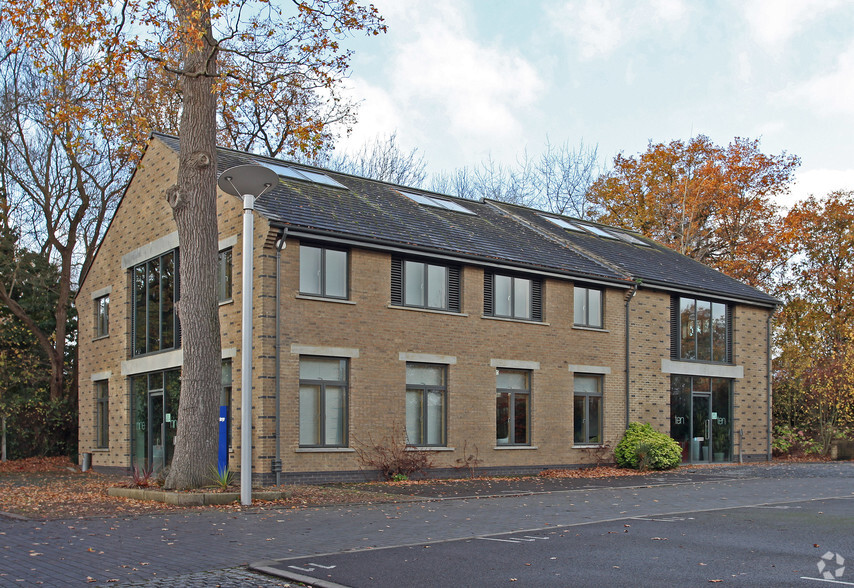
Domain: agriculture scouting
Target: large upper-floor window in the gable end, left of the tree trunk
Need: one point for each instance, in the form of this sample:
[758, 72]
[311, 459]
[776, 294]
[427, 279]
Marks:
[155, 289]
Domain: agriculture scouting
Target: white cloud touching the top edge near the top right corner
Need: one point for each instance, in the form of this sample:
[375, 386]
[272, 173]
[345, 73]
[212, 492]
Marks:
[774, 22]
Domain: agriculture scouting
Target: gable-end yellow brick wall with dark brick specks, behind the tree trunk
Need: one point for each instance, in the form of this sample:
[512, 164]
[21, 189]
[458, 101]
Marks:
[142, 217]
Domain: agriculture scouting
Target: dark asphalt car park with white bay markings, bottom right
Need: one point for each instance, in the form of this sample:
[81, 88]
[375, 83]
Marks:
[773, 544]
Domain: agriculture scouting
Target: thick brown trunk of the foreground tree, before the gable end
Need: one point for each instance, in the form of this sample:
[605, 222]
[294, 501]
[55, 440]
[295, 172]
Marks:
[193, 202]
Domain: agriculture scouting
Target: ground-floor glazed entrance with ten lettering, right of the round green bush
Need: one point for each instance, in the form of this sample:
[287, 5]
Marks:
[701, 418]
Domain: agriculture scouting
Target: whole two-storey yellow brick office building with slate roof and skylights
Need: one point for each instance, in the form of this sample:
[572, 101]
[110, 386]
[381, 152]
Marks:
[464, 324]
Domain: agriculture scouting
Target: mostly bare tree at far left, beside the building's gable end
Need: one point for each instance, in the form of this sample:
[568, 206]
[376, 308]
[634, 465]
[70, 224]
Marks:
[61, 174]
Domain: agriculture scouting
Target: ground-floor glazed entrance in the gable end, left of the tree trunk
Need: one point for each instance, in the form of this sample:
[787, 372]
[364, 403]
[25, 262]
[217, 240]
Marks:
[154, 418]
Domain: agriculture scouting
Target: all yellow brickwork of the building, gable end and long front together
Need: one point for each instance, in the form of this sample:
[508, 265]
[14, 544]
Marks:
[377, 377]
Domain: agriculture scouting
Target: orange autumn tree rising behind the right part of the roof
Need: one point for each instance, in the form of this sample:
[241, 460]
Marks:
[714, 204]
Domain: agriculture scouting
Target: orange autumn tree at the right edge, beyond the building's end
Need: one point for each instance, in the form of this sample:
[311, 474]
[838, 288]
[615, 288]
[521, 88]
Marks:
[814, 371]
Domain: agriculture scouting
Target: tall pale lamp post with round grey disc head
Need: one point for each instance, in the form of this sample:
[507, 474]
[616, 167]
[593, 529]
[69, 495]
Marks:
[247, 182]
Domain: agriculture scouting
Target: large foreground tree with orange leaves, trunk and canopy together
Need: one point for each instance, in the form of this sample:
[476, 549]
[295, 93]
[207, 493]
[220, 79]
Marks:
[242, 63]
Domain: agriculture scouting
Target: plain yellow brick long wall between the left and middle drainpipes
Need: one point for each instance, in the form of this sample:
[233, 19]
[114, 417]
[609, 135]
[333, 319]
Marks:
[377, 376]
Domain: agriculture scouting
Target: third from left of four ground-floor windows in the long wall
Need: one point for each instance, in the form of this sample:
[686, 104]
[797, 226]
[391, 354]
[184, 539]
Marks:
[513, 407]
